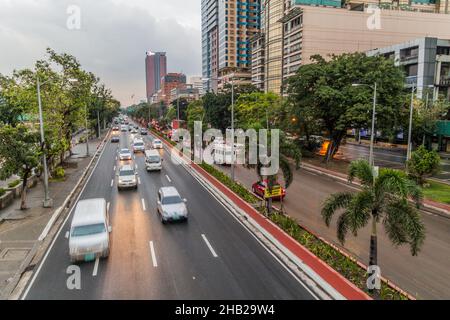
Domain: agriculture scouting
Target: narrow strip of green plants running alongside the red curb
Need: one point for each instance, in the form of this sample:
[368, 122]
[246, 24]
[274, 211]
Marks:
[343, 263]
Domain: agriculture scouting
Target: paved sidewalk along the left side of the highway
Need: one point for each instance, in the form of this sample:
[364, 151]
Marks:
[20, 230]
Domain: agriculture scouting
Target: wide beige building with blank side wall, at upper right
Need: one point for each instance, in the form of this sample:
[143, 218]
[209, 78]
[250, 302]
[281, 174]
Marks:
[310, 30]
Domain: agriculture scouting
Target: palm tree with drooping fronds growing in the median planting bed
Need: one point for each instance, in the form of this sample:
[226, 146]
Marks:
[384, 198]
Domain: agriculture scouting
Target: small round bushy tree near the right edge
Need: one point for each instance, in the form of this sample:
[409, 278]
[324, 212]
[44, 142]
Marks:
[423, 163]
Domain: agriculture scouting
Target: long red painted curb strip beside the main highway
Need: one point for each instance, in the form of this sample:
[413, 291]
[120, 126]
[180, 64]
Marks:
[328, 274]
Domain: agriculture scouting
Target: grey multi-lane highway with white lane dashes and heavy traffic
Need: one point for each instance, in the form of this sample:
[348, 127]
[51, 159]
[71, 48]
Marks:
[212, 256]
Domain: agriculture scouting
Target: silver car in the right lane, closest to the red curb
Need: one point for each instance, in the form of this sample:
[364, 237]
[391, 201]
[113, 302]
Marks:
[170, 205]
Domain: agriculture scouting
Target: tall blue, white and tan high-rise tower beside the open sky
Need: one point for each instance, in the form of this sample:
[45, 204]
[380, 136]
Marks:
[227, 28]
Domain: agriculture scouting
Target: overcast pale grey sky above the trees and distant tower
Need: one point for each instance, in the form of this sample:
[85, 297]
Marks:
[111, 42]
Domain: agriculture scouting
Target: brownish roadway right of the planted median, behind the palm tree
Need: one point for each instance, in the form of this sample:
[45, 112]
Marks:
[425, 276]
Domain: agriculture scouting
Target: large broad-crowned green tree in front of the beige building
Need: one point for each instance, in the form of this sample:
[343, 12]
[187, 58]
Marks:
[323, 91]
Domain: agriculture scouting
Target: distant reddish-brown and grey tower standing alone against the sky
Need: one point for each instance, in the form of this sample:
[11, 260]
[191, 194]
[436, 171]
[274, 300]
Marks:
[155, 69]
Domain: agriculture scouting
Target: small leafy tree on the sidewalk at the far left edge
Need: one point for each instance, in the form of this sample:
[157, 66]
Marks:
[19, 151]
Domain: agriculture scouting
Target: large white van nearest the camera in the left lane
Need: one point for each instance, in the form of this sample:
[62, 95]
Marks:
[89, 231]
